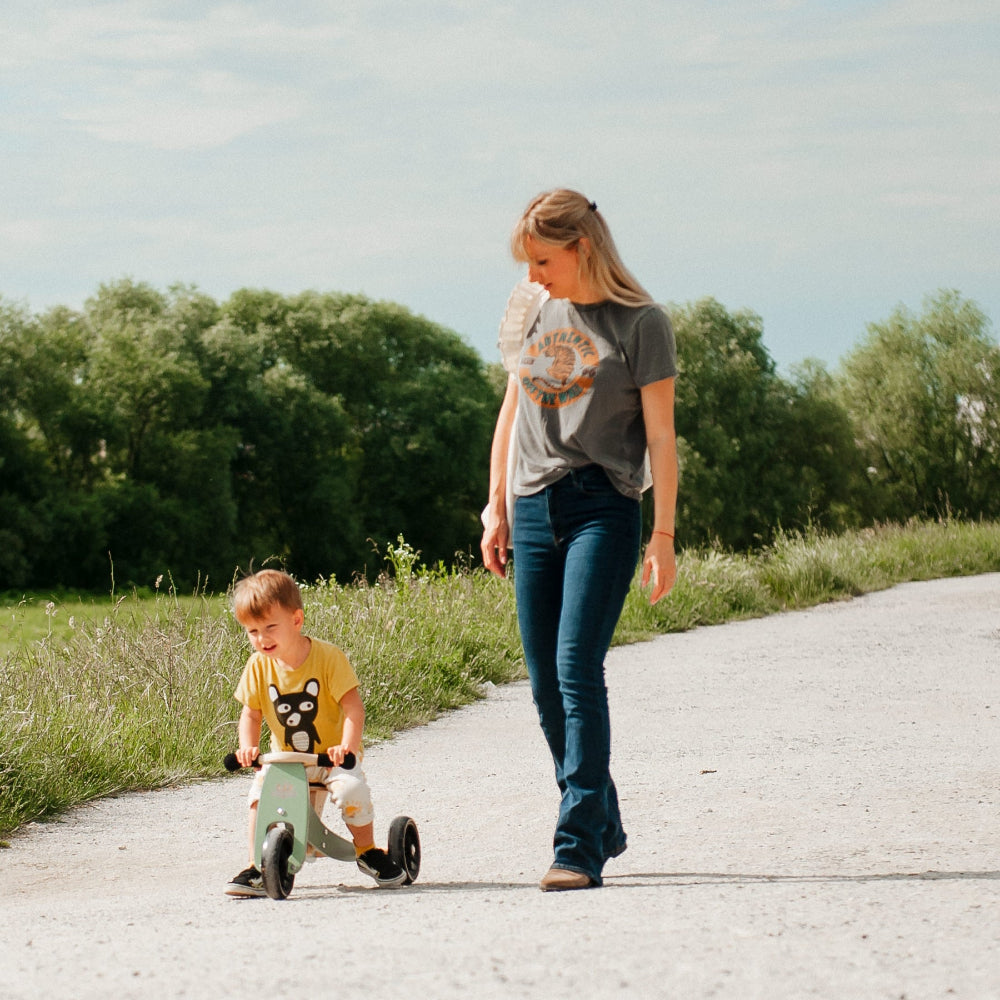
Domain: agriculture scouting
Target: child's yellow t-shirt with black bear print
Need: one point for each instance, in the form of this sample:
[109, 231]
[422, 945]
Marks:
[301, 707]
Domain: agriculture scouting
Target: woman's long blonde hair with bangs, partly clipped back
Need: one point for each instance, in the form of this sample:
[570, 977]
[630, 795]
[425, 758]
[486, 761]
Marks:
[562, 218]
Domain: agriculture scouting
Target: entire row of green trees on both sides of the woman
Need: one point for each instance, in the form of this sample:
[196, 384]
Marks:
[155, 433]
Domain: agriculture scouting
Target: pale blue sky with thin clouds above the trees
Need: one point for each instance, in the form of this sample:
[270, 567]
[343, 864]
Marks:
[817, 163]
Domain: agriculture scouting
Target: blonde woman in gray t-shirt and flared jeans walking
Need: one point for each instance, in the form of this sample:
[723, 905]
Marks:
[586, 421]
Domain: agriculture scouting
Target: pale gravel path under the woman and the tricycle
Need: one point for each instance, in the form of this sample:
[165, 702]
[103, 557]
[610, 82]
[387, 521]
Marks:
[813, 807]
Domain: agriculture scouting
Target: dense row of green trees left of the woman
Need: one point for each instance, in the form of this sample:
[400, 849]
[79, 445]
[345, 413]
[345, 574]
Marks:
[161, 433]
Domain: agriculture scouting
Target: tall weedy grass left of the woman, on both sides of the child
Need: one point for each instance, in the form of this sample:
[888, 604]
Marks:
[142, 696]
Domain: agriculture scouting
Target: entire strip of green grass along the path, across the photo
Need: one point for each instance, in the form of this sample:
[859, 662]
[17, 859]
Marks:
[99, 697]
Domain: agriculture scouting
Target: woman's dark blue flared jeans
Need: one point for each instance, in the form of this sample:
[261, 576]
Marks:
[575, 544]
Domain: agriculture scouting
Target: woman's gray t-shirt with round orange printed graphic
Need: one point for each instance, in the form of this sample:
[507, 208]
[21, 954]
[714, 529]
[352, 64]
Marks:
[580, 372]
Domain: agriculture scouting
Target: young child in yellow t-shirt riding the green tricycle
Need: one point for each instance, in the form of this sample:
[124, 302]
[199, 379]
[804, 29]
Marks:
[307, 692]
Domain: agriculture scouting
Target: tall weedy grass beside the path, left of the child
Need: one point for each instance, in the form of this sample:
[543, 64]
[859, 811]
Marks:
[133, 699]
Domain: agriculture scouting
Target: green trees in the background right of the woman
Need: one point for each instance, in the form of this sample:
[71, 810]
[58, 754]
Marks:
[908, 426]
